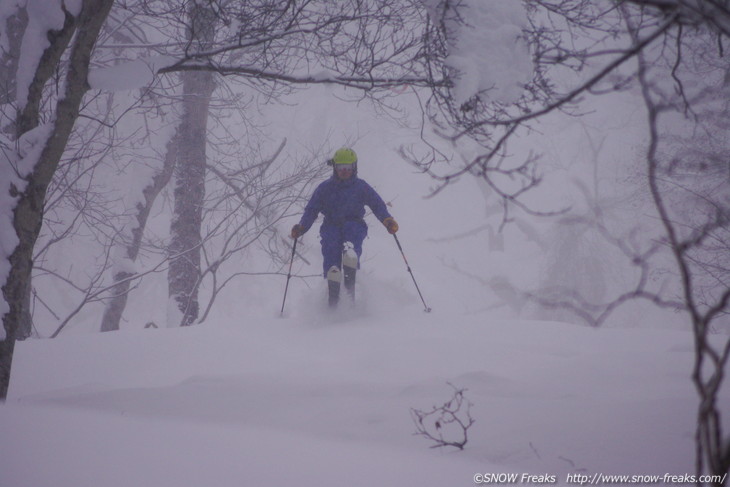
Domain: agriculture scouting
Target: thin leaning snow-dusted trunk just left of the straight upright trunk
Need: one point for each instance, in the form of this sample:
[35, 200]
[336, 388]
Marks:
[118, 302]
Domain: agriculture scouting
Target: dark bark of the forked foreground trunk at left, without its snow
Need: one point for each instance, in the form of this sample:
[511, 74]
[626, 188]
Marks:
[28, 214]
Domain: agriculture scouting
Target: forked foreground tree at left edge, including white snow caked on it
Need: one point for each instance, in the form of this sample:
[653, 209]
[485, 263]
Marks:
[55, 30]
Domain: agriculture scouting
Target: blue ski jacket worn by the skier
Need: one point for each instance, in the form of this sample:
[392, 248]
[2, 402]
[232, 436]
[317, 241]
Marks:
[341, 201]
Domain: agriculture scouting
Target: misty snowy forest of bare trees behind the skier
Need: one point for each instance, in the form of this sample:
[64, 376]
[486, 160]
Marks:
[174, 142]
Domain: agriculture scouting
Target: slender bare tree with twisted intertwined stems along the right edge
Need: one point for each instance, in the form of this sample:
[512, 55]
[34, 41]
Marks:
[696, 238]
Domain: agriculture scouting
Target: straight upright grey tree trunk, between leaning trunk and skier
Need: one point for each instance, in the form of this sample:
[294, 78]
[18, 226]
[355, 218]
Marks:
[189, 193]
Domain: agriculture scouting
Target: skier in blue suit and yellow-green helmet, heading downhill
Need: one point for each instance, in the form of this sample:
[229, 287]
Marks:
[342, 199]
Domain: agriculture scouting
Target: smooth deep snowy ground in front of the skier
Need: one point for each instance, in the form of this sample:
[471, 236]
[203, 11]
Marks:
[325, 401]
